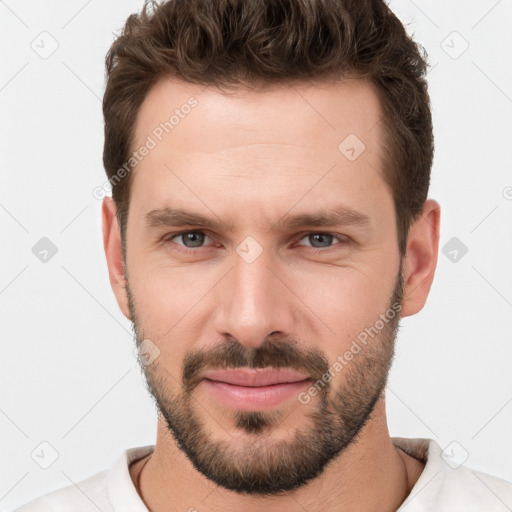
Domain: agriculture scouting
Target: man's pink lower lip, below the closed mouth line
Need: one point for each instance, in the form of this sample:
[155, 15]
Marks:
[247, 398]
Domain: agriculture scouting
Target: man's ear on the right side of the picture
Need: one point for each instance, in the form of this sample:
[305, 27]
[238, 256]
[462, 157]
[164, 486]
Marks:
[421, 258]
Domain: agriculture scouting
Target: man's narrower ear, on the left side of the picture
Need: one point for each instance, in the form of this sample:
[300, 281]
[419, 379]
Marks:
[114, 254]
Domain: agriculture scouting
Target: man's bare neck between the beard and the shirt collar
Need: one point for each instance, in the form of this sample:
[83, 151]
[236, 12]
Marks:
[370, 475]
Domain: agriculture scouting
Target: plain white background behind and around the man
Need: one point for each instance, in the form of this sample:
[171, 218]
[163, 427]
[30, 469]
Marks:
[68, 373]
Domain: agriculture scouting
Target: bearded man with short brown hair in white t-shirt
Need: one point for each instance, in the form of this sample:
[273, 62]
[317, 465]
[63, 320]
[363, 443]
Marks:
[269, 226]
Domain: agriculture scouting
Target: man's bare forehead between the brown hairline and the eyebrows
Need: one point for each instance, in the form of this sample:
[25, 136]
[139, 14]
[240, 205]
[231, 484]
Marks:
[272, 145]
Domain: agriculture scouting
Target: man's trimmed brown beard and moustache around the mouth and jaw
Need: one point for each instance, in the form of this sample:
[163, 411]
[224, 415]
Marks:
[263, 465]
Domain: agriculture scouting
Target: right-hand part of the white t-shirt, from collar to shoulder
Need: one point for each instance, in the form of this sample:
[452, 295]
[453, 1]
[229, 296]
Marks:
[446, 485]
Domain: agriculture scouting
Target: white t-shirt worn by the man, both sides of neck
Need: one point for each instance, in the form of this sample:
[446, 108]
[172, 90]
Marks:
[443, 486]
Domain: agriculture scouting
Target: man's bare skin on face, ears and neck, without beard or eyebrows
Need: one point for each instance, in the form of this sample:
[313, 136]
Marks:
[248, 159]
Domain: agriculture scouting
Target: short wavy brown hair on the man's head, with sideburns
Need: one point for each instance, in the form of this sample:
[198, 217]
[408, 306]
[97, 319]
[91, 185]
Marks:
[228, 43]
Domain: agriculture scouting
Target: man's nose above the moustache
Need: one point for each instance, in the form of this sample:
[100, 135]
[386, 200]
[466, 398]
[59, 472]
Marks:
[254, 302]
